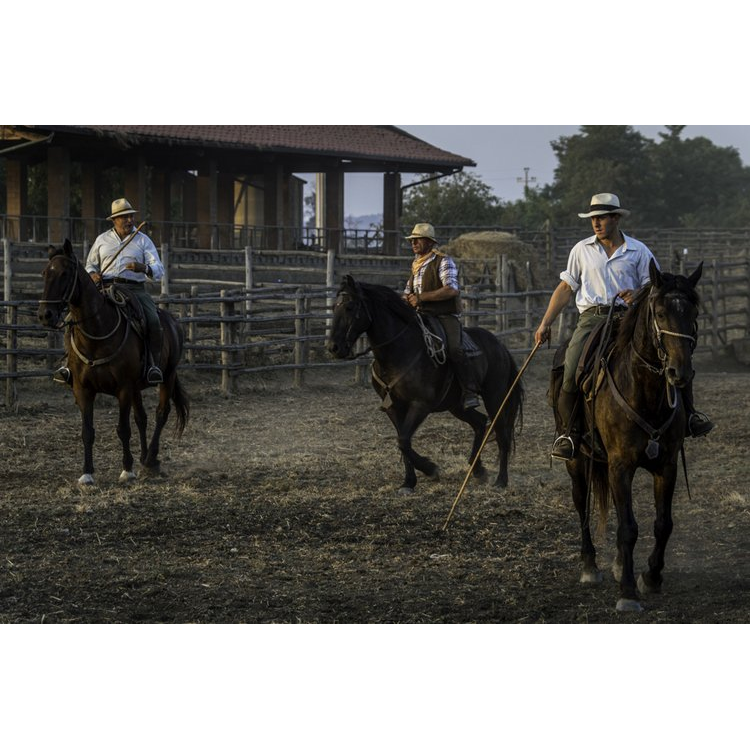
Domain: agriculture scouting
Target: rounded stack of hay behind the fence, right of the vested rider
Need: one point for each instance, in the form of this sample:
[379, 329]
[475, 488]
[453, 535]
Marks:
[477, 254]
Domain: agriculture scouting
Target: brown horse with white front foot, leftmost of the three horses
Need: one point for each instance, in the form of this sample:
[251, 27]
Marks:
[105, 355]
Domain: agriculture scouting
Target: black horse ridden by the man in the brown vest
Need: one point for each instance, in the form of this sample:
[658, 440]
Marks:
[412, 385]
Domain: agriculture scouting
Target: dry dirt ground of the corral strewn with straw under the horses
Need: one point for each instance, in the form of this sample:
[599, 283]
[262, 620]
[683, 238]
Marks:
[280, 505]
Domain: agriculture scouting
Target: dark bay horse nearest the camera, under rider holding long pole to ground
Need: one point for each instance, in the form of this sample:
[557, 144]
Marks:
[639, 417]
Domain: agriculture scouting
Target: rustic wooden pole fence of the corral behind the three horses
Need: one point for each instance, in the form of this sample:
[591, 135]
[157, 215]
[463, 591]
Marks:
[241, 332]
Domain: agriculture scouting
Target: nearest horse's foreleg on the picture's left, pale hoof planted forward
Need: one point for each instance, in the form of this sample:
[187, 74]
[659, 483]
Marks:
[621, 479]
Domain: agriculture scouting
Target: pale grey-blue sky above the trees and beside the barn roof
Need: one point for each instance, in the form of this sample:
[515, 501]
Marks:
[502, 152]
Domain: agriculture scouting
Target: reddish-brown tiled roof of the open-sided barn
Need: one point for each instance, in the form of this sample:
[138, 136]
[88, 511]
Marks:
[377, 142]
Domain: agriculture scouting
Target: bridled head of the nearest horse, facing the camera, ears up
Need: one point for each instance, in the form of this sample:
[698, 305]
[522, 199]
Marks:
[673, 318]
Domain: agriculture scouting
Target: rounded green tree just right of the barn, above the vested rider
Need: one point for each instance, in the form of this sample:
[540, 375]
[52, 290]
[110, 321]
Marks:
[459, 200]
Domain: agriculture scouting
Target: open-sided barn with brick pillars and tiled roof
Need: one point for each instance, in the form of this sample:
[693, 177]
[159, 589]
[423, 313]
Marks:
[208, 185]
